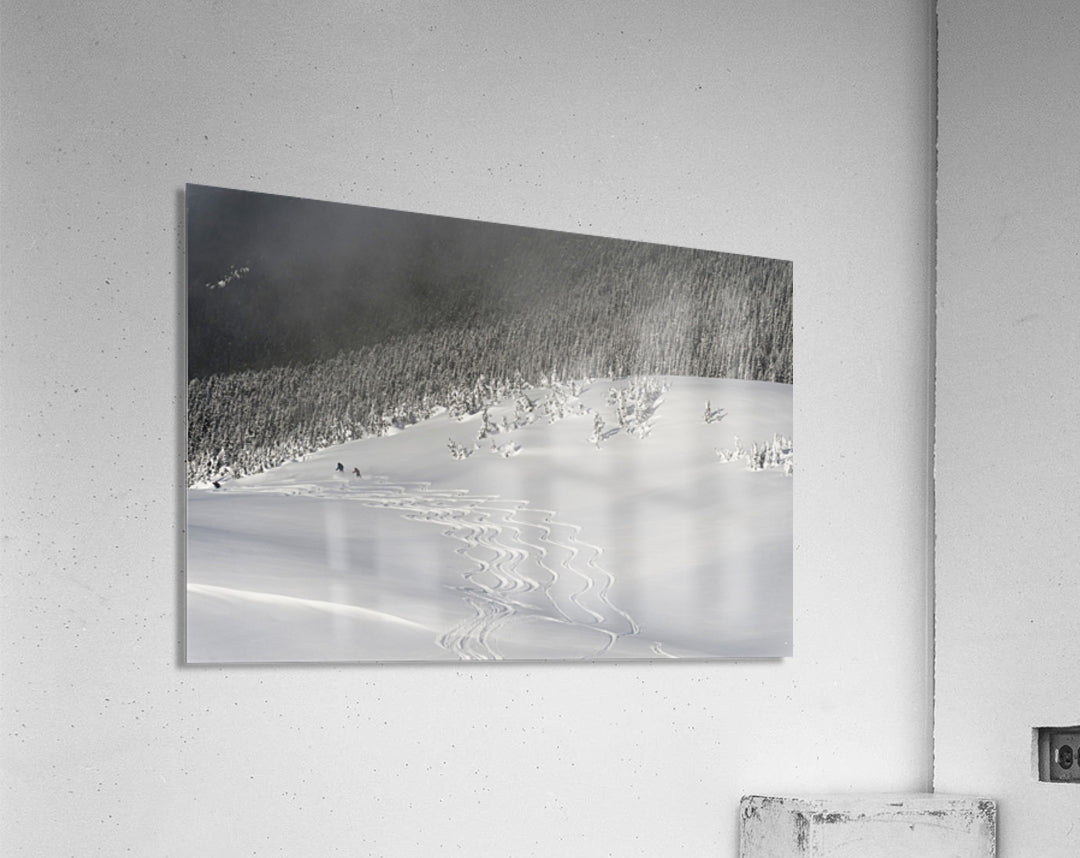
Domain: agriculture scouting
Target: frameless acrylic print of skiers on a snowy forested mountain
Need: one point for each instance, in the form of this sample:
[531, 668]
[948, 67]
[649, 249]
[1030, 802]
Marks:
[416, 438]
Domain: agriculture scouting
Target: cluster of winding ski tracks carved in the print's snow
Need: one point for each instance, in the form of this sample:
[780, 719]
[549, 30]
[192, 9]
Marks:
[523, 562]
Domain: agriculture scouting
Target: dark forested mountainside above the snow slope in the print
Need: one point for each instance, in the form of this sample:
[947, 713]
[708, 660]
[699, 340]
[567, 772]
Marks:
[312, 324]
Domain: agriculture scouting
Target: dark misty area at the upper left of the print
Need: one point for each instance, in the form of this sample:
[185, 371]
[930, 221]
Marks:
[325, 276]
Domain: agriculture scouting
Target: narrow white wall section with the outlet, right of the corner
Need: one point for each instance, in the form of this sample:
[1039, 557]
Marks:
[1008, 400]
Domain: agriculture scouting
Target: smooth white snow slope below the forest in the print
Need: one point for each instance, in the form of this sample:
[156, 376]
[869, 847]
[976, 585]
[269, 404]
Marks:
[560, 534]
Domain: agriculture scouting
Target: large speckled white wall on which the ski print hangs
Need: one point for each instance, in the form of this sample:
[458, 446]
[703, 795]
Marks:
[787, 129]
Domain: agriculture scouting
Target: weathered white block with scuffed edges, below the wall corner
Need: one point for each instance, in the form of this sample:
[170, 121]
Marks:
[887, 826]
